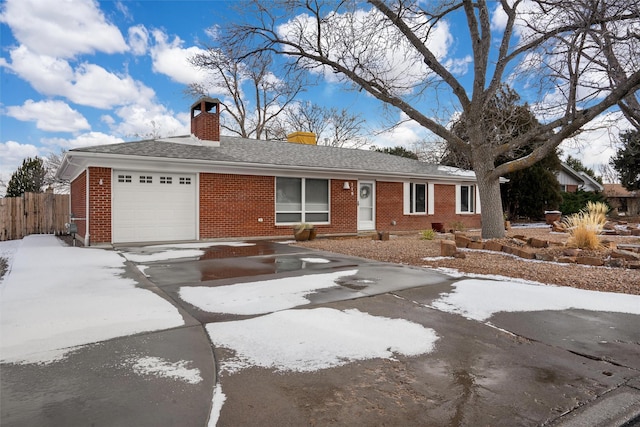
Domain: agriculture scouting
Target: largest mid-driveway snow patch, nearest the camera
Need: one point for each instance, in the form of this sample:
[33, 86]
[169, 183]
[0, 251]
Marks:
[321, 338]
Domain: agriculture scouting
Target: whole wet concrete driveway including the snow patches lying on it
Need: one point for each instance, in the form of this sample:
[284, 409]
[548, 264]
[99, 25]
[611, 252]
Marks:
[509, 365]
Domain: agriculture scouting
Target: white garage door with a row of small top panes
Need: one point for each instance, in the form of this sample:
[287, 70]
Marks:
[153, 207]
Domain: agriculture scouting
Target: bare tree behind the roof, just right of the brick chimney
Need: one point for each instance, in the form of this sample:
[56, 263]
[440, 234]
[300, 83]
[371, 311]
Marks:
[252, 111]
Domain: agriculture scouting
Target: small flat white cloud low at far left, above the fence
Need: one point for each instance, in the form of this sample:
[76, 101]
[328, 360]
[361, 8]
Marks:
[52, 116]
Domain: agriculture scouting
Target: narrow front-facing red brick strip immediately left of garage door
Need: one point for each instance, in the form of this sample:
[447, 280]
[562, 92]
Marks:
[100, 205]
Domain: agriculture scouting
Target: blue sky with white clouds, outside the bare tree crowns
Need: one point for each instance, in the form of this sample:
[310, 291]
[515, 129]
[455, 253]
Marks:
[80, 72]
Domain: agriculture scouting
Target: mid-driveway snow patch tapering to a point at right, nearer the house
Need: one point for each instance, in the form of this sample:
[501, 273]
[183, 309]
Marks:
[260, 297]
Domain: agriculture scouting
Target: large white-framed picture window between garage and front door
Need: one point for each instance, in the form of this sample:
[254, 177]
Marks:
[302, 200]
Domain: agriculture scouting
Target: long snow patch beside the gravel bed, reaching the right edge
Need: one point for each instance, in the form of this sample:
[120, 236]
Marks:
[480, 299]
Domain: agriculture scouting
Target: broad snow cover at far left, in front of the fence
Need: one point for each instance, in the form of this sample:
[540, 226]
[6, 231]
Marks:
[55, 298]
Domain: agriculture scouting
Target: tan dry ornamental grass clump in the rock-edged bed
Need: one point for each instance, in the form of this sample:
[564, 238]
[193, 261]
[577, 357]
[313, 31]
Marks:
[585, 226]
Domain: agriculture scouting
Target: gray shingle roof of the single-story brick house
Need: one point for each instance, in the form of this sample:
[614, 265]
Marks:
[277, 153]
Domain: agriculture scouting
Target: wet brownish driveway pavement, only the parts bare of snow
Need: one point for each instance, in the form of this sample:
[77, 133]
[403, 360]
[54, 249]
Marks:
[566, 367]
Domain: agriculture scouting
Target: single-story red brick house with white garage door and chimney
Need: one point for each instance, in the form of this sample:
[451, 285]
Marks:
[208, 186]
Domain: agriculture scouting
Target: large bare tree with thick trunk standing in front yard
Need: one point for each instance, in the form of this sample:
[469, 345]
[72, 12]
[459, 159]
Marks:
[390, 49]
